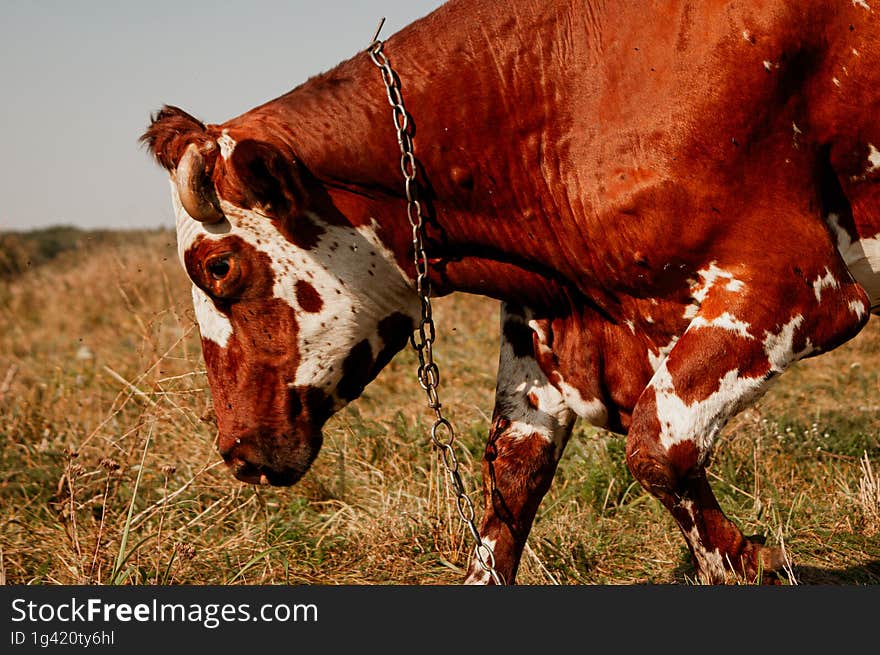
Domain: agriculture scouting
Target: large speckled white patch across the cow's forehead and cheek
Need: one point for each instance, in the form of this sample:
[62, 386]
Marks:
[358, 280]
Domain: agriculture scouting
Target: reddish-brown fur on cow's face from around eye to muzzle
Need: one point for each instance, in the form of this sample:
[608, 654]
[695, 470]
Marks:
[254, 432]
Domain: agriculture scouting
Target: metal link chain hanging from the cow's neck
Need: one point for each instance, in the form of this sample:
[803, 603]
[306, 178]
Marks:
[422, 341]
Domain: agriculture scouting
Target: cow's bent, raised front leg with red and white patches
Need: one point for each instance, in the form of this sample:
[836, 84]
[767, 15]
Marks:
[723, 362]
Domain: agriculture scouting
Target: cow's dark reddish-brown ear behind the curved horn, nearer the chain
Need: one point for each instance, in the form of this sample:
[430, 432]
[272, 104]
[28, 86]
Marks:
[267, 177]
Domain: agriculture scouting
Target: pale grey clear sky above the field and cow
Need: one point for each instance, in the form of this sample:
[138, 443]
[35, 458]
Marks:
[79, 80]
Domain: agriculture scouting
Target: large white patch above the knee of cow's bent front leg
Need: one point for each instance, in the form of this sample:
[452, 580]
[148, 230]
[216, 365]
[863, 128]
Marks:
[702, 420]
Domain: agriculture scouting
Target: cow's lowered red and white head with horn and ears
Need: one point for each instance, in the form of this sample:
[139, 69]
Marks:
[298, 309]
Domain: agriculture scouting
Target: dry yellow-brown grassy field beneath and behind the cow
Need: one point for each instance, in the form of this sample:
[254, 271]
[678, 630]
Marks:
[108, 472]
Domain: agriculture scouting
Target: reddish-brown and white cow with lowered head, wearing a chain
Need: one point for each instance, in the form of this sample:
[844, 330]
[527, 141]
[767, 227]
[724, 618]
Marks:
[673, 202]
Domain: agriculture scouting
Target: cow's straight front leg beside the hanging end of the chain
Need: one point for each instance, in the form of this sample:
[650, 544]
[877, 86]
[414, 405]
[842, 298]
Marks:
[530, 427]
